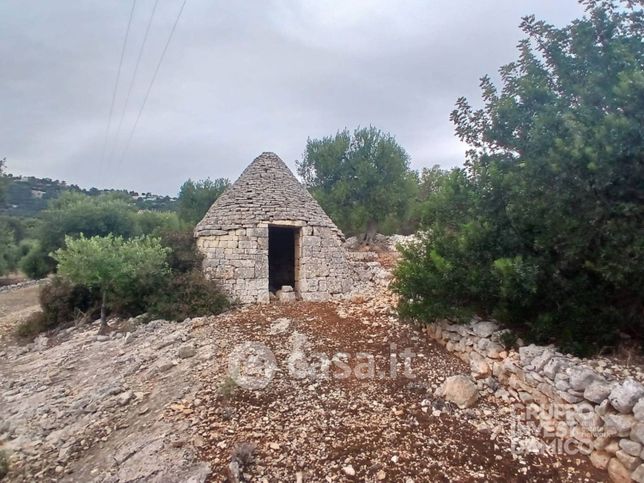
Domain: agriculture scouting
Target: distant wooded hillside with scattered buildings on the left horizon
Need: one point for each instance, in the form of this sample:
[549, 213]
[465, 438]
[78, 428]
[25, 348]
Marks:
[28, 195]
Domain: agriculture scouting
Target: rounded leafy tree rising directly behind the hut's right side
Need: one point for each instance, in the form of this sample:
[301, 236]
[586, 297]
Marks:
[360, 178]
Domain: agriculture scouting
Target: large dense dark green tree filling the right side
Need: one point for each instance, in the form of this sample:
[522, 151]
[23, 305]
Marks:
[549, 234]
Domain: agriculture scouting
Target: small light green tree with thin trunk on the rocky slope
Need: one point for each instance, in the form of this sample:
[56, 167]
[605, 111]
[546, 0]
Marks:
[110, 263]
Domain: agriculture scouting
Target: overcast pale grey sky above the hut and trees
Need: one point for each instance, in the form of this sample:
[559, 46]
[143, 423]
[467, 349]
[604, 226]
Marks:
[240, 78]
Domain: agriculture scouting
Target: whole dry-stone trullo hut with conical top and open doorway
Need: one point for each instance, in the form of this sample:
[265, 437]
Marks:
[266, 231]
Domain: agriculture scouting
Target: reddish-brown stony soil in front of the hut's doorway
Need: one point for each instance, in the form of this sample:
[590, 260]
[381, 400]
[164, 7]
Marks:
[386, 429]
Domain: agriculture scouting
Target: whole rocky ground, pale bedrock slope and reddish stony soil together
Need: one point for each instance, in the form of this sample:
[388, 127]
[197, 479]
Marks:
[156, 402]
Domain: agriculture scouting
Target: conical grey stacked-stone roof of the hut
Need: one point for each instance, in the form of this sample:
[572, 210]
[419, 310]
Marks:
[266, 191]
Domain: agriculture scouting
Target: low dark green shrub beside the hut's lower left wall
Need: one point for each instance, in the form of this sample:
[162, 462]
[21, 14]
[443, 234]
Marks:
[187, 295]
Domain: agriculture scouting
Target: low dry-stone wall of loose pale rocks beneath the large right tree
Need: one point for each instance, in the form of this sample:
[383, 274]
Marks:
[586, 401]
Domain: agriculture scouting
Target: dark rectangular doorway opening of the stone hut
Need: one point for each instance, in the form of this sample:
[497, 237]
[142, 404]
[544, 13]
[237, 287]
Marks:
[282, 259]
